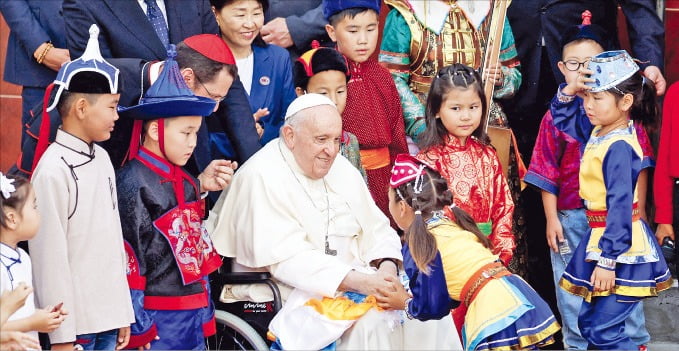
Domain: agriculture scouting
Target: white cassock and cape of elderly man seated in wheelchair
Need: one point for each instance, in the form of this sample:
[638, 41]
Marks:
[272, 216]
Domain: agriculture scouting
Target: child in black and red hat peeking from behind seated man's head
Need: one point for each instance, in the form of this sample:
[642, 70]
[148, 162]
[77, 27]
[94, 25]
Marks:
[324, 71]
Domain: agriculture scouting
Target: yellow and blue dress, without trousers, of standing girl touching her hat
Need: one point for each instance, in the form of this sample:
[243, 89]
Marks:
[617, 232]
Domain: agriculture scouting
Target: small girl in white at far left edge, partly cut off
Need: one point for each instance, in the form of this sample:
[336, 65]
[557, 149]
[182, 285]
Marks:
[19, 221]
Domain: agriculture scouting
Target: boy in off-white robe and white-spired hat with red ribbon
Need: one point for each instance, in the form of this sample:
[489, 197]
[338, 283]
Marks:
[80, 230]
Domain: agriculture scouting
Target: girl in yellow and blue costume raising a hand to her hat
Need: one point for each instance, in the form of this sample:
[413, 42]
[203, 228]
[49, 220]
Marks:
[619, 262]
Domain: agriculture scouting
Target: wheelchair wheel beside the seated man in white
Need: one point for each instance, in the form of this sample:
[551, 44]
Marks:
[233, 333]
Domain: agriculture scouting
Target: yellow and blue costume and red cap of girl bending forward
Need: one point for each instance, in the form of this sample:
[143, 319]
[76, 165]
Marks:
[503, 311]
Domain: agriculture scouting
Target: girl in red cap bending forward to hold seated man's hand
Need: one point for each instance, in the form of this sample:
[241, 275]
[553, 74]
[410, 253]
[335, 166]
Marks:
[450, 260]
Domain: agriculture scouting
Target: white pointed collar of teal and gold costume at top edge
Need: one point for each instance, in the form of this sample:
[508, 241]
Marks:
[432, 14]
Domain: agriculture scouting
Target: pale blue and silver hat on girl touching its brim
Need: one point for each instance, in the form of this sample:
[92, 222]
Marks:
[610, 69]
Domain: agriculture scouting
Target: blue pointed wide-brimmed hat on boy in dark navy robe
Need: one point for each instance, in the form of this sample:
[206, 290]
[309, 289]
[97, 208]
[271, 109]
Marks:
[169, 96]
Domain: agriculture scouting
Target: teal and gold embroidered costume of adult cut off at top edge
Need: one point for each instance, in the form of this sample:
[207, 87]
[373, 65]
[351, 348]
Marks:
[422, 37]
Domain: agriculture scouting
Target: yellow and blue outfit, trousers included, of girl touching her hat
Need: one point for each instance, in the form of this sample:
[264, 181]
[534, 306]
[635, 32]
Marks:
[619, 240]
